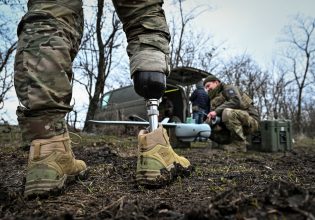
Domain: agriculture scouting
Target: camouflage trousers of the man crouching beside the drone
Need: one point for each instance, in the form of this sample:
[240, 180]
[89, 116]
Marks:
[236, 125]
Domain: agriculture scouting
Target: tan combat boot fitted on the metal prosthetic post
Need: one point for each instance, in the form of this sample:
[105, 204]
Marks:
[157, 163]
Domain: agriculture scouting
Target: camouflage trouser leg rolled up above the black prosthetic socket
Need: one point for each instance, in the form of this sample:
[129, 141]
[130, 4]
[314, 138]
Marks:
[147, 34]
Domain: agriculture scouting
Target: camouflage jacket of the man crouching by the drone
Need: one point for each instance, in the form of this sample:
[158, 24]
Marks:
[229, 96]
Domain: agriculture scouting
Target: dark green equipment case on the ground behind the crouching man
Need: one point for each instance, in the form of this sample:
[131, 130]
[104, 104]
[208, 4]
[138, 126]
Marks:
[273, 136]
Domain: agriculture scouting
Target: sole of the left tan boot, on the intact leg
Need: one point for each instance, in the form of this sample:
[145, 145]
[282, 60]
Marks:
[44, 188]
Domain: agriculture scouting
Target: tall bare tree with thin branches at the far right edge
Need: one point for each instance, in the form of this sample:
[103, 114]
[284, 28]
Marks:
[299, 56]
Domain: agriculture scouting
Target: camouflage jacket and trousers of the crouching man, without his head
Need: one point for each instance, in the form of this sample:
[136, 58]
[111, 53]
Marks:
[239, 116]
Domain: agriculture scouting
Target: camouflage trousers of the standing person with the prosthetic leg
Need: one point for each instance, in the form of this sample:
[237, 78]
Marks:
[49, 37]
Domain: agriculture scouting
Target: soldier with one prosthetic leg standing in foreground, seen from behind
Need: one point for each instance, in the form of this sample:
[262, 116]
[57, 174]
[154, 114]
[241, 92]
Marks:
[49, 37]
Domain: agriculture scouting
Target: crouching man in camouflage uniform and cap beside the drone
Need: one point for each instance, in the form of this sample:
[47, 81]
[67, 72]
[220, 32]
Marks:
[238, 115]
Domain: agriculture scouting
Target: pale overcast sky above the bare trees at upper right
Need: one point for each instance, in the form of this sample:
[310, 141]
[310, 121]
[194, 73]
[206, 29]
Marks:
[251, 26]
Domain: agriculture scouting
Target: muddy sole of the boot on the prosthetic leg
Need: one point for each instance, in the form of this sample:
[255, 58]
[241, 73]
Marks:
[158, 178]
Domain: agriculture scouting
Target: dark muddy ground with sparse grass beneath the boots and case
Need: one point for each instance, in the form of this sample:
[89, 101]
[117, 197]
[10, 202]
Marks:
[252, 185]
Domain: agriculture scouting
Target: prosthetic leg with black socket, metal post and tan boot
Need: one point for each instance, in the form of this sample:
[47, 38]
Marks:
[157, 163]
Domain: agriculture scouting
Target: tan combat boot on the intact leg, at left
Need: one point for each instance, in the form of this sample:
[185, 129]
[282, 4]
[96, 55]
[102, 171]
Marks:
[51, 162]
